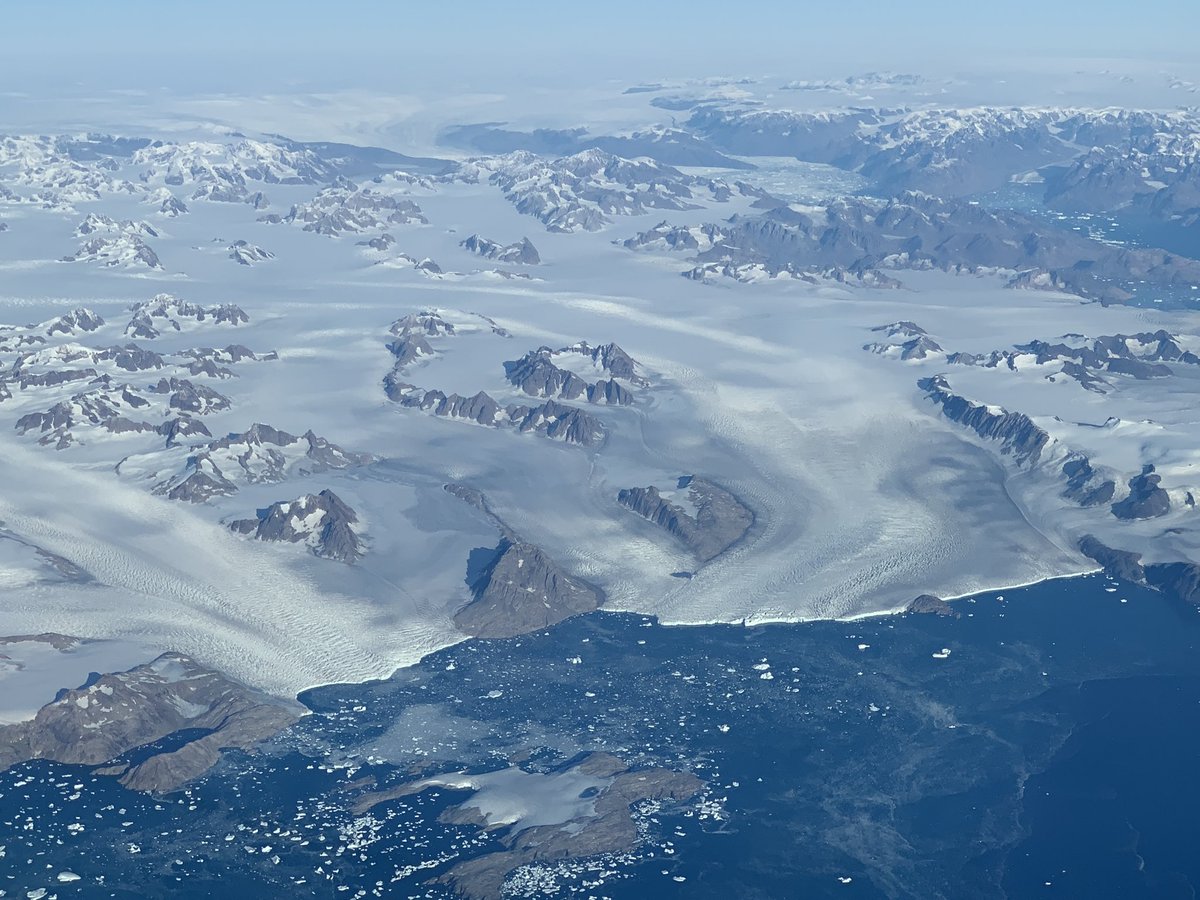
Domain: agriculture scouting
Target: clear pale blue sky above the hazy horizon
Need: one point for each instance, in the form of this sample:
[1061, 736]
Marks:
[219, 43]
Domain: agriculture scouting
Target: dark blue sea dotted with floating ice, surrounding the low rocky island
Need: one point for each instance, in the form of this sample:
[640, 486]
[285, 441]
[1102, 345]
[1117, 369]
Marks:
[1055, 752]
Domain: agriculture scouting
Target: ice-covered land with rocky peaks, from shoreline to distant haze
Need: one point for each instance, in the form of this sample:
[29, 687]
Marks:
[338, 457]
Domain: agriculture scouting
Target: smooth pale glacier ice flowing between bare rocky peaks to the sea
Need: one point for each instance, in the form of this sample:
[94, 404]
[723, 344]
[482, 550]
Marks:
[865, 497]
